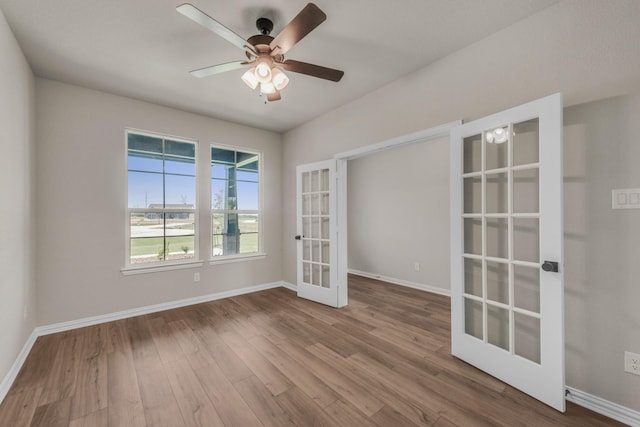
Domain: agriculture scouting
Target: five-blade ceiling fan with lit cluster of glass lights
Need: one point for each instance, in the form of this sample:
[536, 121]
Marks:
[265, 54]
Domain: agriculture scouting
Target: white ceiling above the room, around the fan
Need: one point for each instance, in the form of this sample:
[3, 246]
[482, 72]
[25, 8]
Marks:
[144, 48]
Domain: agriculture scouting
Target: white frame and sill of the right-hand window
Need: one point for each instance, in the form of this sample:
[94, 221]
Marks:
[260, 253]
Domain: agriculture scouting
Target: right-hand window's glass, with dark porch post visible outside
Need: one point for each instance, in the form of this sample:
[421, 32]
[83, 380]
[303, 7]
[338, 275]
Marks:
[235, 201]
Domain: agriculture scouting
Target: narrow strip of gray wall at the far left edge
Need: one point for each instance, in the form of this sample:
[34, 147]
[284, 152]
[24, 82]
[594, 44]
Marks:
[17, 289]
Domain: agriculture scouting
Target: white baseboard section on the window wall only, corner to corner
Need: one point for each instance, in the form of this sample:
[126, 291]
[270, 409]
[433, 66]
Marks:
[94, 320]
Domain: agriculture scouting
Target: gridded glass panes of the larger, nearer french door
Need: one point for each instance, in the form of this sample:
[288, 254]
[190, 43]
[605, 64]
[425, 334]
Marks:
[502, 238]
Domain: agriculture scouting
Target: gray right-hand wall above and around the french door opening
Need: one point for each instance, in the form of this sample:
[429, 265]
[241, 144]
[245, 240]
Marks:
[556, 43]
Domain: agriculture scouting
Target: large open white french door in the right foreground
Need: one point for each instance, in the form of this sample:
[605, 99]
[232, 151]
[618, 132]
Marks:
[507, 309]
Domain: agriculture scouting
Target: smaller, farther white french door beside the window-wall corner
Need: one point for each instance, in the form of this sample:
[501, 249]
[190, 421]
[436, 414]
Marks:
[317, 233]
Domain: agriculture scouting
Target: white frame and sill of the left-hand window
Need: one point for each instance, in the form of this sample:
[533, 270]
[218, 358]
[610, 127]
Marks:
[160, 265]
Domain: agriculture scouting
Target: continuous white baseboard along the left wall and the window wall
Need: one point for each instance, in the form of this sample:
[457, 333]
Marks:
[10, 377]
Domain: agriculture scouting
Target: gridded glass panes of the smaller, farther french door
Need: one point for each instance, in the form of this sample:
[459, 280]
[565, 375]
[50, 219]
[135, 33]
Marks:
[315, 235]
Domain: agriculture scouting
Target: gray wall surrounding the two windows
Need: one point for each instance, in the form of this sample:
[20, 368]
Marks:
[82, 198]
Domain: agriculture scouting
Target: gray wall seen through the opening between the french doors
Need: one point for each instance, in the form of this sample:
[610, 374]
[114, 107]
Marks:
[398, 214]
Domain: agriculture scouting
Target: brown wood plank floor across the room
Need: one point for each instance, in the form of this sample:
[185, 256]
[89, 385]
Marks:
[271, 359]
